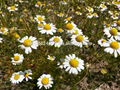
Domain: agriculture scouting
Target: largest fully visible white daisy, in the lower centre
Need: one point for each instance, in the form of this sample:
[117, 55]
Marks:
[73, 64]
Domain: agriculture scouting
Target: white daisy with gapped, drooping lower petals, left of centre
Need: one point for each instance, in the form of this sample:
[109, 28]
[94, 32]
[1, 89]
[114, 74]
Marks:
[28, 43]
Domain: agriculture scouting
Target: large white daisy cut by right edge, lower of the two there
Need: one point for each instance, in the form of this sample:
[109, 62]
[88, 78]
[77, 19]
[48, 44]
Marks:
[113, 47]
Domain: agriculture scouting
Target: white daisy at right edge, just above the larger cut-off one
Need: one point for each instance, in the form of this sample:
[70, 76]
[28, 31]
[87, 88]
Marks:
[112, 33]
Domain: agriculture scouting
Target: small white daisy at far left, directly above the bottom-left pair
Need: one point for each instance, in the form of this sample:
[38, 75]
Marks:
[17, 59]
